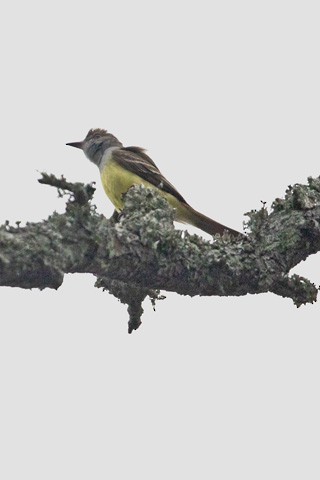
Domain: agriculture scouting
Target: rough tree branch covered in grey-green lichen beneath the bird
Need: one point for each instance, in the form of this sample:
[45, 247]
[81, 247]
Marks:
[141, 253]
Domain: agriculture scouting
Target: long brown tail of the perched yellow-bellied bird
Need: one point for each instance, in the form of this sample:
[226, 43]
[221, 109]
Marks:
[189, 215]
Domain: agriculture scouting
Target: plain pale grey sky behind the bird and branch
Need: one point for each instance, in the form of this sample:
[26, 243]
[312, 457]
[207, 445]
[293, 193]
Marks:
[222, 388]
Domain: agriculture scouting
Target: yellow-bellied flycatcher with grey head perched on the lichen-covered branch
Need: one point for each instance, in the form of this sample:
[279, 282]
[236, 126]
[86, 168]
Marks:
[121, 167]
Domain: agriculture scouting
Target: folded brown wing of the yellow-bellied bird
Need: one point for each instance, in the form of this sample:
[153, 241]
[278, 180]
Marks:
[137, 161]
